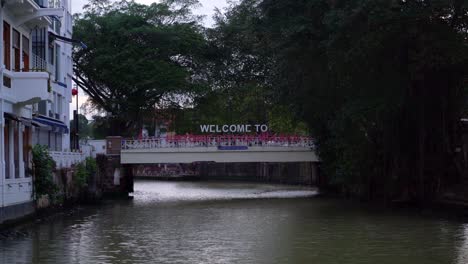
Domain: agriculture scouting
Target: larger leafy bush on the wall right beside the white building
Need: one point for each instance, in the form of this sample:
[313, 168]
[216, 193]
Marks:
[43, 167]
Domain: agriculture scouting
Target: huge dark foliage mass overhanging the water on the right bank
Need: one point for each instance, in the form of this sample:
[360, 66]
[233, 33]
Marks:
[379, 83]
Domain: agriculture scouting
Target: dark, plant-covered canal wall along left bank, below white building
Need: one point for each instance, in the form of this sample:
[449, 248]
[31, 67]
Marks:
[110, 179]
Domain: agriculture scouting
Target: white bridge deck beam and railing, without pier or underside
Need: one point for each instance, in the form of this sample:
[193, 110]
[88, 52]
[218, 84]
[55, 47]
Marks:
[225, 149]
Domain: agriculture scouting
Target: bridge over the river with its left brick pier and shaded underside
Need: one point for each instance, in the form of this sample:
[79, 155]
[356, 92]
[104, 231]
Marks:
[280, 159]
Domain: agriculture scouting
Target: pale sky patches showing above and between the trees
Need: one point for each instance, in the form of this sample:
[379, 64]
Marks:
[207, 9]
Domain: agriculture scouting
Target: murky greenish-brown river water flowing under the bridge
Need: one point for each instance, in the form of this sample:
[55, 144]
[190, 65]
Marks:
[222, 222]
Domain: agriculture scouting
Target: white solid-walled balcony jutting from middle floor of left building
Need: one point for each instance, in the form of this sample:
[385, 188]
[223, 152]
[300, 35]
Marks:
[28, 87]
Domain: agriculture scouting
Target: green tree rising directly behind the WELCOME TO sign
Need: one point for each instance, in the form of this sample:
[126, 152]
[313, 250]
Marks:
[238, 68]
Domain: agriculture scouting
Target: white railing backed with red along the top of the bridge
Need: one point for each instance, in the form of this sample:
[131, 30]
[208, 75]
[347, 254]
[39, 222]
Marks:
[217, 141]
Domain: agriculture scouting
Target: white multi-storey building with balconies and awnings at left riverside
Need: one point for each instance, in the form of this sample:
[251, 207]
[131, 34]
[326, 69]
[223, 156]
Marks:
[35, 94]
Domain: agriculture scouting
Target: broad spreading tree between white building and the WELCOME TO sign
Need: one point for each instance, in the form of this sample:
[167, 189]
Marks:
[135, 56]
